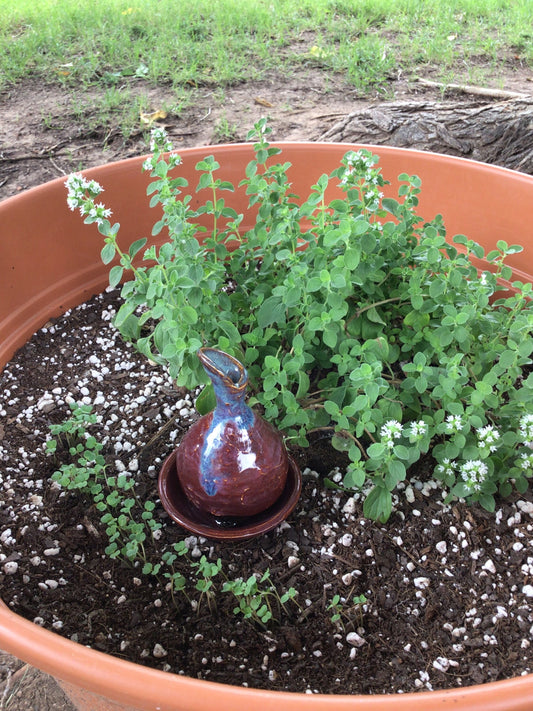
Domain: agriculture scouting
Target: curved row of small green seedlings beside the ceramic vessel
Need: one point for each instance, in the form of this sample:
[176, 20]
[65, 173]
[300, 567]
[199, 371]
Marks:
[133, 532]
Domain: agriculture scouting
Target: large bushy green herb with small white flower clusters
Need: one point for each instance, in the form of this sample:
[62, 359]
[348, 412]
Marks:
[352, 315]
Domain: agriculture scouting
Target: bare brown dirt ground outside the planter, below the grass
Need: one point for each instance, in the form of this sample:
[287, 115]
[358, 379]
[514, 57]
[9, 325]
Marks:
[49, 131]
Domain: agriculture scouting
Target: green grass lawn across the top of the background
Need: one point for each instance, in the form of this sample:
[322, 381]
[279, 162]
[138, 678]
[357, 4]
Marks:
[222, 42]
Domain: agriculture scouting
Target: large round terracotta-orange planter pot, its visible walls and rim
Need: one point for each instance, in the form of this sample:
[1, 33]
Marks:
[50, 262]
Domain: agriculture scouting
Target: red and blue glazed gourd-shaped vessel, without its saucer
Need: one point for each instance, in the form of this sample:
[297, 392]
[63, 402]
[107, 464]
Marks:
[231, 463]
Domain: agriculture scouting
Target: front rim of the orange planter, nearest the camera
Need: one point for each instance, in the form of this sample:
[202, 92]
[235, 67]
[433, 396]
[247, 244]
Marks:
[89, 668]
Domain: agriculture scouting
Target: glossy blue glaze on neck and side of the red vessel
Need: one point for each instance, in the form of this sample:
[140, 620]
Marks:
[229, 380]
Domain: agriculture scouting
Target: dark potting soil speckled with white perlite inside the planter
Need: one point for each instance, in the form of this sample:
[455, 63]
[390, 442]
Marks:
[449, 589]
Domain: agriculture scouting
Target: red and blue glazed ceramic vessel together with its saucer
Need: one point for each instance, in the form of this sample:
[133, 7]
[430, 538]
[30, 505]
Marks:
[231, 476]
